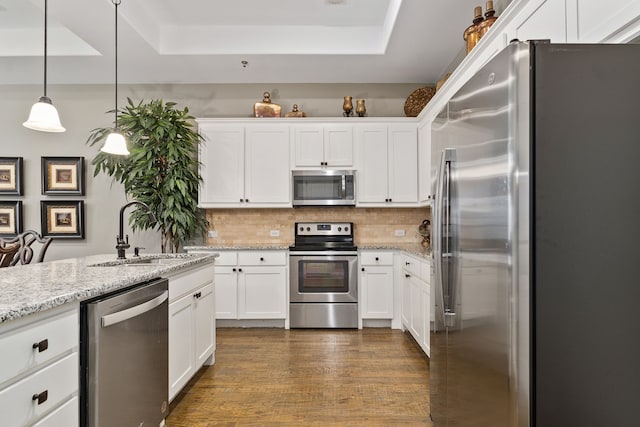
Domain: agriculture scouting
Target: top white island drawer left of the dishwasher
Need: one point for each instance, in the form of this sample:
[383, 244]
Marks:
[59, 334]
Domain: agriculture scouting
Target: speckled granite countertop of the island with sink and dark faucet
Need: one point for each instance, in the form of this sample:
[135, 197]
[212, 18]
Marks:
[27, 289]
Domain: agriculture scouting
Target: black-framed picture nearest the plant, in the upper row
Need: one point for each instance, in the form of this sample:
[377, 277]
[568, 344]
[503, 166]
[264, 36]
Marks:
[63, 175]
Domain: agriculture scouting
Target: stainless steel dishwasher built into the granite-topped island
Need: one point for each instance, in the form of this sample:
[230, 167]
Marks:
[124, 357]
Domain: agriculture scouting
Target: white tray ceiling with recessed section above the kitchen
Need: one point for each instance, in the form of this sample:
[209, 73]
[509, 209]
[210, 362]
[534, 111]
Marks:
[205, 41]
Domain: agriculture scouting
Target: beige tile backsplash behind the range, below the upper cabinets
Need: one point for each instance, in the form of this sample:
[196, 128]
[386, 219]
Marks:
[238, 227]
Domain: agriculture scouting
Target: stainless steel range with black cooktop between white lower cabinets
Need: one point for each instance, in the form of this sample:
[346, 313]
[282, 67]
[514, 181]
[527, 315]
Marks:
[323, 277]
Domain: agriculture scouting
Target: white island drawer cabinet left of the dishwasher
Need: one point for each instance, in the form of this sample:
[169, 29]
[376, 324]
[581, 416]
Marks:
[39, 377]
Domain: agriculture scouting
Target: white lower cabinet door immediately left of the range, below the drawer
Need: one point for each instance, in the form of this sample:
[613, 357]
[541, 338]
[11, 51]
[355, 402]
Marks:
[262, 293]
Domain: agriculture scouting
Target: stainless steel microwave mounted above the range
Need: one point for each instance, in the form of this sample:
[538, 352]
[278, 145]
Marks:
[326, 187]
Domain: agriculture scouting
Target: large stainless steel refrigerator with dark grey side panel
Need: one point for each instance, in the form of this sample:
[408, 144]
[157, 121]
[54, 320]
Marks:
[536, 241]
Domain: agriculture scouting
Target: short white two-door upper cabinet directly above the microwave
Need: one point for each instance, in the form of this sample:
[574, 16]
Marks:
[323, 145]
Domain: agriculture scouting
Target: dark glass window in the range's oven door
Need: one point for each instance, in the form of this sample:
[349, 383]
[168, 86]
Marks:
[323, 276]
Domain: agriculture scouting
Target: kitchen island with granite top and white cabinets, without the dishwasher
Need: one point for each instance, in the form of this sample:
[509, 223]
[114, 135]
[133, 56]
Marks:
[41, 327]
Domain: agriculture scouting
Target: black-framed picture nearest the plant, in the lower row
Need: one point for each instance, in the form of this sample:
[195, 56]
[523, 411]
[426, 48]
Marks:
[62, 219]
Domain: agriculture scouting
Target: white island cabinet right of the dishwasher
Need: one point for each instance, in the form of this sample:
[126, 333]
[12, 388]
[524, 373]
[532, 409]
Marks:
[191, 324]
